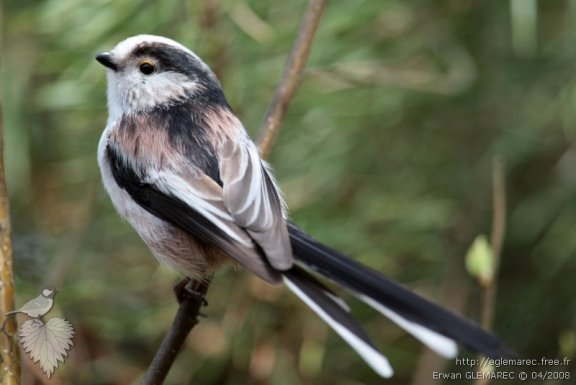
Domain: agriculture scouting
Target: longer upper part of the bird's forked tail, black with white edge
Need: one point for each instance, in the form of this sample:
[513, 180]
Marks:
[432, 324]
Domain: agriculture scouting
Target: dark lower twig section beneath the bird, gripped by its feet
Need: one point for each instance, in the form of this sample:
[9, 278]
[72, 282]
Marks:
[192, 297]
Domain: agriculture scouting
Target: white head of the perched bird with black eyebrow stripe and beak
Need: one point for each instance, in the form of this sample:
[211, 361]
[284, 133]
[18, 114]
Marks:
[147, 71]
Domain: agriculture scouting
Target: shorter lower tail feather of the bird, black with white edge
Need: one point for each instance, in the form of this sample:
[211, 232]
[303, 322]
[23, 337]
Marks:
[330, 309]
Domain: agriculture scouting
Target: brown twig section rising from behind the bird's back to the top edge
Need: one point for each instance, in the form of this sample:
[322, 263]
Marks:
[291, 76]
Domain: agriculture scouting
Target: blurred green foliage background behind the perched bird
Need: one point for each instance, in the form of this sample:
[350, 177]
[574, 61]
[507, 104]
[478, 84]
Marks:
[385, 154]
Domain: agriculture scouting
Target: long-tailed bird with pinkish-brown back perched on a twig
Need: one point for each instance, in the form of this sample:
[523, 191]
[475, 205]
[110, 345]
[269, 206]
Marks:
[180, 168]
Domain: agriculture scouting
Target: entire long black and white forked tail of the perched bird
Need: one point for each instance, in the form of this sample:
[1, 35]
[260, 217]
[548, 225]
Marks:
[436, 327]
